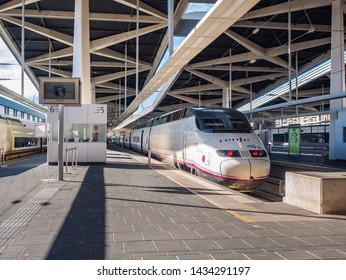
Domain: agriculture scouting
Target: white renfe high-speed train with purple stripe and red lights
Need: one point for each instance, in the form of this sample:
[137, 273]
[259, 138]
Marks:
[215, 143]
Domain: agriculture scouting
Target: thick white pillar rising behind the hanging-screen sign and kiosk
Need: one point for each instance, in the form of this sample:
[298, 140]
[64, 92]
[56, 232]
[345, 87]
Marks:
[81, 49]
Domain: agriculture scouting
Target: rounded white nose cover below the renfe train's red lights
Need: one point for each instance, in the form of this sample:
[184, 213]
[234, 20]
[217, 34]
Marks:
[245, 170]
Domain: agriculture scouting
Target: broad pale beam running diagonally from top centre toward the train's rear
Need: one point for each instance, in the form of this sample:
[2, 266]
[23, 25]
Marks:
[223, 14]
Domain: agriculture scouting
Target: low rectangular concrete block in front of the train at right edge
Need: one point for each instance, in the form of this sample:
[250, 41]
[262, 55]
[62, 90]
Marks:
[319, 192]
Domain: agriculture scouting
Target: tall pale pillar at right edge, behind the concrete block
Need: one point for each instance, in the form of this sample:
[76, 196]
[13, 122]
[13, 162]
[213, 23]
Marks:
[337, 83]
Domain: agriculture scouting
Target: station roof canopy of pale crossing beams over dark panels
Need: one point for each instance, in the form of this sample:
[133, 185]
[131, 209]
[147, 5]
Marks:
[241, 47]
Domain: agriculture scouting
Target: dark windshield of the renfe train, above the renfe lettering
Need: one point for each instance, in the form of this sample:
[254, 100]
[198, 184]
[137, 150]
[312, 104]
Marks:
[221, 123]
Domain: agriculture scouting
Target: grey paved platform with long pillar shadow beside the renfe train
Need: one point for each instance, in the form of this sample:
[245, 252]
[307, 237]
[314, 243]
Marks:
[125, 209]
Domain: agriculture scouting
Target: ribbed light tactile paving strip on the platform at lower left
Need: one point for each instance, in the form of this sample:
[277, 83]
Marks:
[11, 227]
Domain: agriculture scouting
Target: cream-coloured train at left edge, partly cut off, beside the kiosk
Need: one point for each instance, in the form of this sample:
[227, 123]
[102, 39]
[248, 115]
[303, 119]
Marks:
[18, 138]
